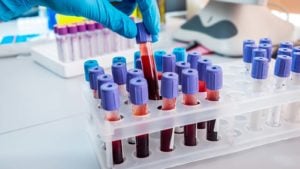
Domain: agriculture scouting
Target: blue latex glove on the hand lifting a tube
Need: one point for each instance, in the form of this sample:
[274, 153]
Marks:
[112, 15]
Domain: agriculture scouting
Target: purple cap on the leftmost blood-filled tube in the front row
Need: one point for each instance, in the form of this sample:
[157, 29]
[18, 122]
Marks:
[110, 98]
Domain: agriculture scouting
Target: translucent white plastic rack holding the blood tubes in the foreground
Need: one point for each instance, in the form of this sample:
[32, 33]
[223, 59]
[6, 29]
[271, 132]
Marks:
[233, 110]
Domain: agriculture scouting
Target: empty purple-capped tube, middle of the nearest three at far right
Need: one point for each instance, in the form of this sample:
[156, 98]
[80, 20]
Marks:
[282, 73]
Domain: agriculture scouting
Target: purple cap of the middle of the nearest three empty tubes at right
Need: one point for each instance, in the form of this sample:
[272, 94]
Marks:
[283, 66]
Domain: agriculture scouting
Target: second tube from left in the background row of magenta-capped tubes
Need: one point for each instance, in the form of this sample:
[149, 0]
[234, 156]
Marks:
[75, 46]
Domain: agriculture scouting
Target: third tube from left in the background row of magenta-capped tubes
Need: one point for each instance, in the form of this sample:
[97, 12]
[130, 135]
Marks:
[83, 40]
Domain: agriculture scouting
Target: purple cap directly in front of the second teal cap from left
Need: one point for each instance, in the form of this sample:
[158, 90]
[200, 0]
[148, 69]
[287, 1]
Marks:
[119, 72]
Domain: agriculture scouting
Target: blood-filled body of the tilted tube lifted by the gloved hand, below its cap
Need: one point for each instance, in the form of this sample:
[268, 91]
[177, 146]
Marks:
[149, 69]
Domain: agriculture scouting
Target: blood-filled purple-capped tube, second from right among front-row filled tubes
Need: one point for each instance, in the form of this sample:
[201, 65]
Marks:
[190, 90]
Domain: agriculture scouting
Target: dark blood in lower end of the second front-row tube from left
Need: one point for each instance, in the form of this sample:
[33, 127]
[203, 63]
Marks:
[142, 146]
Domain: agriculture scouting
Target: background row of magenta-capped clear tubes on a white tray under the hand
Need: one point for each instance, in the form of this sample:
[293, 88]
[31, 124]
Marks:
[86, 40]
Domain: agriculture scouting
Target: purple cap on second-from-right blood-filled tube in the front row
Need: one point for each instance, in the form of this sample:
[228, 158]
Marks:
[189, 81]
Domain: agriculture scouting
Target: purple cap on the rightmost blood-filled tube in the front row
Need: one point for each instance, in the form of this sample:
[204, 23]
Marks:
[214, 78]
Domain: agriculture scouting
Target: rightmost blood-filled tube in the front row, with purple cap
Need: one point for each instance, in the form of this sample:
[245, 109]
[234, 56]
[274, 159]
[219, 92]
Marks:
[214, 82]
